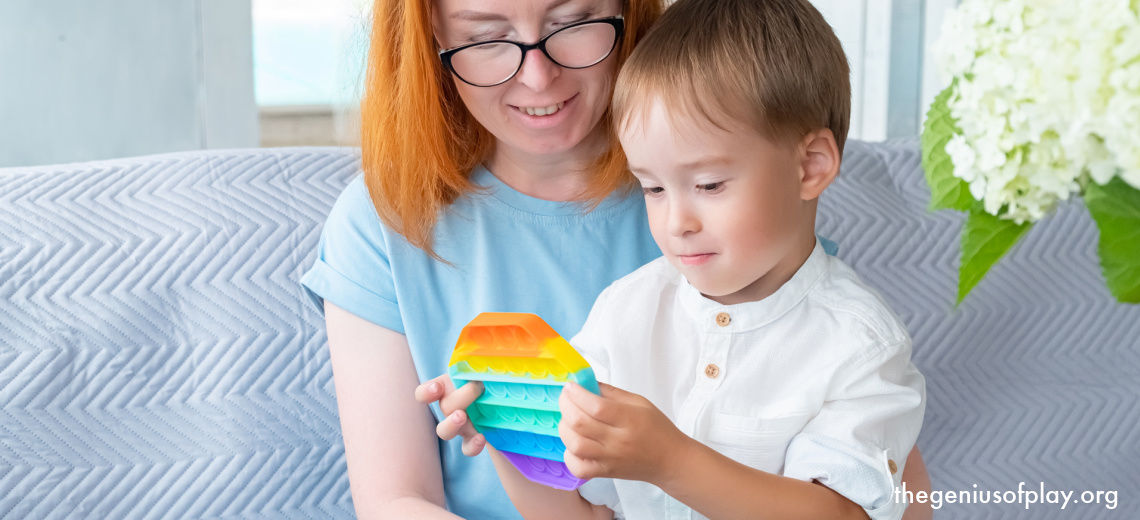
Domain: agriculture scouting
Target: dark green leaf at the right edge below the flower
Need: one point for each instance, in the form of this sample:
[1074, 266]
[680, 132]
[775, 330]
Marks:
[1117, 209]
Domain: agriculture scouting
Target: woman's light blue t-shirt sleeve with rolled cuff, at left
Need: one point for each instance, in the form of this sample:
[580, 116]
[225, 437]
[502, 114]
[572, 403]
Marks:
[353, 269]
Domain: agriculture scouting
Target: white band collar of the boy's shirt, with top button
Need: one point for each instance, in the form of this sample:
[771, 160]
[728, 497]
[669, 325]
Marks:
[755, 314]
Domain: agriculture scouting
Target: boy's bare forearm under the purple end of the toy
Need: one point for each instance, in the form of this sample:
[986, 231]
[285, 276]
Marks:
[538, 502]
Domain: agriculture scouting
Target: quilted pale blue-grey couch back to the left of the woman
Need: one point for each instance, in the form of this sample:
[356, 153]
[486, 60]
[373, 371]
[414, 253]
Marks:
[158, 357]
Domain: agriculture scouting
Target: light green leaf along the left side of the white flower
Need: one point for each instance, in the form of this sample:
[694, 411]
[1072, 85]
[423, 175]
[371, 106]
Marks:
[947, 191]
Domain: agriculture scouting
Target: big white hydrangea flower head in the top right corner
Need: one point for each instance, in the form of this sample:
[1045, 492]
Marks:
[1048, 99]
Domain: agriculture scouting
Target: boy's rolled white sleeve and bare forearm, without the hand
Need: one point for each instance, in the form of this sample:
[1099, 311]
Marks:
[843, 465]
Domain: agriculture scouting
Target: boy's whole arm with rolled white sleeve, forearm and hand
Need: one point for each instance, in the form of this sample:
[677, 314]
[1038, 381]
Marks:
[838, 467]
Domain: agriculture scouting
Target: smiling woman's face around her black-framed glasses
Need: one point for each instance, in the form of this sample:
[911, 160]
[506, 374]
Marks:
[574, 101]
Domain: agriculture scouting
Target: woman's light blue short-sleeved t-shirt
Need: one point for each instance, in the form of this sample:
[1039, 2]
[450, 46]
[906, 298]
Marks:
[510, 254]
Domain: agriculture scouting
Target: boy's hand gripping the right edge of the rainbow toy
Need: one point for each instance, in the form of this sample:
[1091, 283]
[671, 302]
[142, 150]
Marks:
[618, 435]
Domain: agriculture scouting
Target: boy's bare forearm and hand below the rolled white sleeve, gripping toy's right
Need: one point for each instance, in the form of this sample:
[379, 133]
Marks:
[622, 435]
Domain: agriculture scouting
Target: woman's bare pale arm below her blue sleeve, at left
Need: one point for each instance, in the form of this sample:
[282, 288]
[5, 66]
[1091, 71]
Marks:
[389, 437]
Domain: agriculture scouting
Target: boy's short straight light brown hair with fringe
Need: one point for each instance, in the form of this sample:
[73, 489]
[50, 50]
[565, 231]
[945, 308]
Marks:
[775, 66]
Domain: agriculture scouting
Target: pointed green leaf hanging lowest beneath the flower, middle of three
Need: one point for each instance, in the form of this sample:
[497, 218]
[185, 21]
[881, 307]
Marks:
[986, 240]
